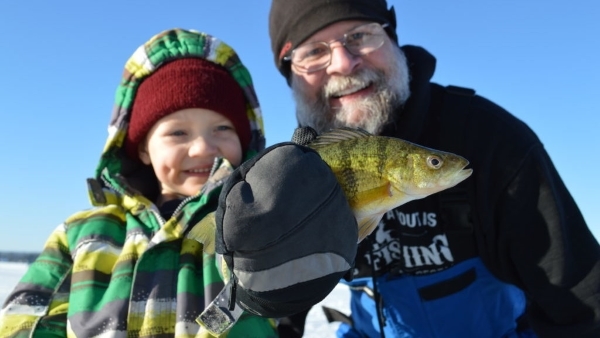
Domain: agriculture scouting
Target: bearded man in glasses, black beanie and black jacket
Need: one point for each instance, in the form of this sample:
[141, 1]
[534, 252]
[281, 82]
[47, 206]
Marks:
[506, 253]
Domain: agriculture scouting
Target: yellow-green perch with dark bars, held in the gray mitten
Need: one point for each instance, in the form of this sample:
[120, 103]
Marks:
[378, 173]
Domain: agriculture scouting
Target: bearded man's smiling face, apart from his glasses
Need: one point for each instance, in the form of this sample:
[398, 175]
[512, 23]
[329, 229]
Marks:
[353, 91]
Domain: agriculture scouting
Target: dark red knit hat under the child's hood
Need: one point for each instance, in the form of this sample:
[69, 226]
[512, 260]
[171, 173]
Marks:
[181, 84]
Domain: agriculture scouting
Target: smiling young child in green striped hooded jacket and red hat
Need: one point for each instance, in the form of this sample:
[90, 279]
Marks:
[125, 268]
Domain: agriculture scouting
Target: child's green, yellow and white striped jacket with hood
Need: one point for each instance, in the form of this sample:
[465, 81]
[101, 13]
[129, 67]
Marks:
[119, 269]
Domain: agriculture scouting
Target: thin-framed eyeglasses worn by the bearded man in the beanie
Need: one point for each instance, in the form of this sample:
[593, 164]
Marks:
[361, 40]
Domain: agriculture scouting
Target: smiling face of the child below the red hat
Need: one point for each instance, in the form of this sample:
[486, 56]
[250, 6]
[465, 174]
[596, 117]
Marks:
[182, 146]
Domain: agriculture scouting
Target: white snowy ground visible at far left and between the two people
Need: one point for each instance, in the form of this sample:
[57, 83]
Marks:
[316, 324]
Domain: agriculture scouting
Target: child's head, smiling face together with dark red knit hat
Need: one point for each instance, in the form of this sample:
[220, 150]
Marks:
[187, 113]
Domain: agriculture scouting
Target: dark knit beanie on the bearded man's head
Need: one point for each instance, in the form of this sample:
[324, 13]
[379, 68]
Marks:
[292, 22]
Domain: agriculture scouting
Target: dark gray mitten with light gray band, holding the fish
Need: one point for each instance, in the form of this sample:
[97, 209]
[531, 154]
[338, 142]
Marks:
[285, 230]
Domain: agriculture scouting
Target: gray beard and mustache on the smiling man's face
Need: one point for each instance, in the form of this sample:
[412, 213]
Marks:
[391, 90]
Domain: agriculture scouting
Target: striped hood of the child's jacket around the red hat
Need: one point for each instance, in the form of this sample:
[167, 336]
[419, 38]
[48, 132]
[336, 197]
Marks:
[115, 170]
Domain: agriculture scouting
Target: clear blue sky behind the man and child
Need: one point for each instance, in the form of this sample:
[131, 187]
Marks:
[61, 61]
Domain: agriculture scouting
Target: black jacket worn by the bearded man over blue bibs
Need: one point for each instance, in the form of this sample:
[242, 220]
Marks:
[526, 226]
